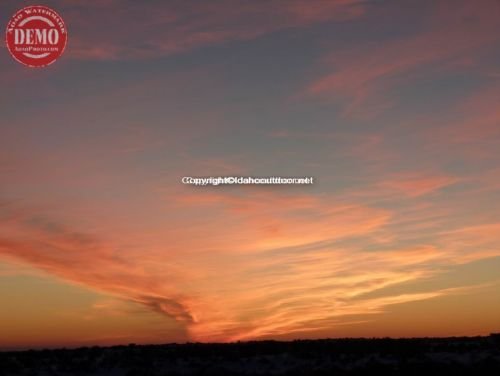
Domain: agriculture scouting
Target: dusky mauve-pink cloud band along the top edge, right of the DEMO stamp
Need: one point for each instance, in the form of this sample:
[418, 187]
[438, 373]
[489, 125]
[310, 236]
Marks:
[111, 32]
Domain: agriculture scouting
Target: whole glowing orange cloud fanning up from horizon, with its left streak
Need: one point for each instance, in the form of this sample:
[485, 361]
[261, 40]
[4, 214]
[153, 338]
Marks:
[264, 265]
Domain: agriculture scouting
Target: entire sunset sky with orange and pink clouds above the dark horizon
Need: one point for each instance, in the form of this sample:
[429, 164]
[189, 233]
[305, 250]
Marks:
[391, 105]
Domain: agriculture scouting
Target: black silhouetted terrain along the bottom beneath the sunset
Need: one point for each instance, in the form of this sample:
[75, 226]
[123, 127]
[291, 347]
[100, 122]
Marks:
[421, 356]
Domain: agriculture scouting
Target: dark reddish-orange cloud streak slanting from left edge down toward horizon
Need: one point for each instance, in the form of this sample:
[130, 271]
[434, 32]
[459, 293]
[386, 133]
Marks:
[82, 259]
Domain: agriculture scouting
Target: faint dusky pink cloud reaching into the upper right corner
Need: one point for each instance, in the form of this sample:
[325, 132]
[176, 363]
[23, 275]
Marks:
[362, 78]
